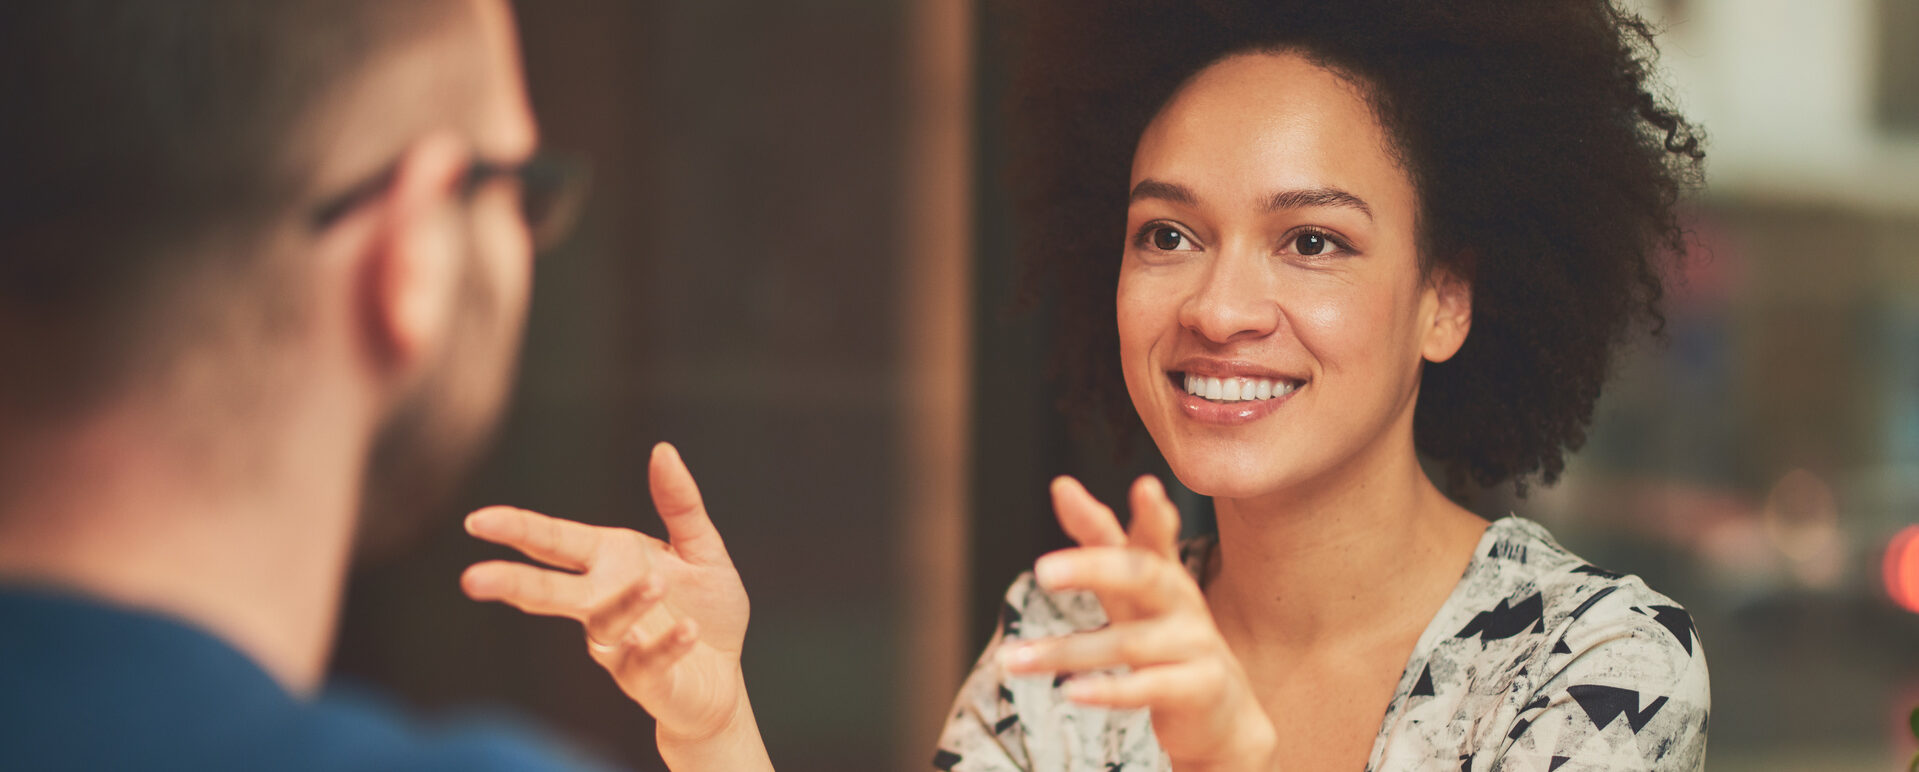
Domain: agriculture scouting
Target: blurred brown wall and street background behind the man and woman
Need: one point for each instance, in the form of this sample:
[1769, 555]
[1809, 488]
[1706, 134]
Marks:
[797, 266]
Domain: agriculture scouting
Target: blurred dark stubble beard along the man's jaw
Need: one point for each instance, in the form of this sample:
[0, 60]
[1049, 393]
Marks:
[433, 439]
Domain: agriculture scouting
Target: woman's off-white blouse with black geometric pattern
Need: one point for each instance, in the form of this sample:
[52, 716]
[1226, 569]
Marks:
[1538, 662]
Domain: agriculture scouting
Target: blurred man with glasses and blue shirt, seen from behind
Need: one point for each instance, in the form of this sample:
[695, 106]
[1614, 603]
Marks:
[264, 270]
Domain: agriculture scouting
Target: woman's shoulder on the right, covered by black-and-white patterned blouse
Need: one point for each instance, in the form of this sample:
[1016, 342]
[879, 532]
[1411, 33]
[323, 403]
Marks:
[1553, 658]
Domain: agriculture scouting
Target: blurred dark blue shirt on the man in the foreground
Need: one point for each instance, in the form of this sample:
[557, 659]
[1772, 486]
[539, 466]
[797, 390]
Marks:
[91, 687]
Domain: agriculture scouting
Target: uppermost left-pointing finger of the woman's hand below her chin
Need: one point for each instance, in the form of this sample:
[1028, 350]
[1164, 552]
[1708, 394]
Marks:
[1122, 577]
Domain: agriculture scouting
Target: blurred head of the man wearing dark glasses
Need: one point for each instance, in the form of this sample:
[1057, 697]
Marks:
[222, 208]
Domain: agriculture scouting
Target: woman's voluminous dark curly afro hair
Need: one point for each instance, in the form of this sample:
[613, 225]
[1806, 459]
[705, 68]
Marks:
[1548, 174]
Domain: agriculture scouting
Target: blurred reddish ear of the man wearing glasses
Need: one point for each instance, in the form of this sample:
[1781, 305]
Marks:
[414, 262]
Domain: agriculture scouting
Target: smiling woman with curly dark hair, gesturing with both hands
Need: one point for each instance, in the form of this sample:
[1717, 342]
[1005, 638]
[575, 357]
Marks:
[1356, 233]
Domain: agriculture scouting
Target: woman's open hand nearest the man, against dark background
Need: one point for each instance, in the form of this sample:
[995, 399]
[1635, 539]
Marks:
[667, 619]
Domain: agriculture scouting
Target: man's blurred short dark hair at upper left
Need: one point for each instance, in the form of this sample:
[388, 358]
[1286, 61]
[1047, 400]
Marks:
[135, 132]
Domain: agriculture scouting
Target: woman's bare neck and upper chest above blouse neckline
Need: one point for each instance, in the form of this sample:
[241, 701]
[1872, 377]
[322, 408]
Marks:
[1348, 560]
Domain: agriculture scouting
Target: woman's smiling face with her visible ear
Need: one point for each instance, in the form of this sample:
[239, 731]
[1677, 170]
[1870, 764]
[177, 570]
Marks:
[1273, 316]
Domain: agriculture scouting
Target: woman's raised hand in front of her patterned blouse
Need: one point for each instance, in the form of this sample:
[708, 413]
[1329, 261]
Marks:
[1206, 715]
